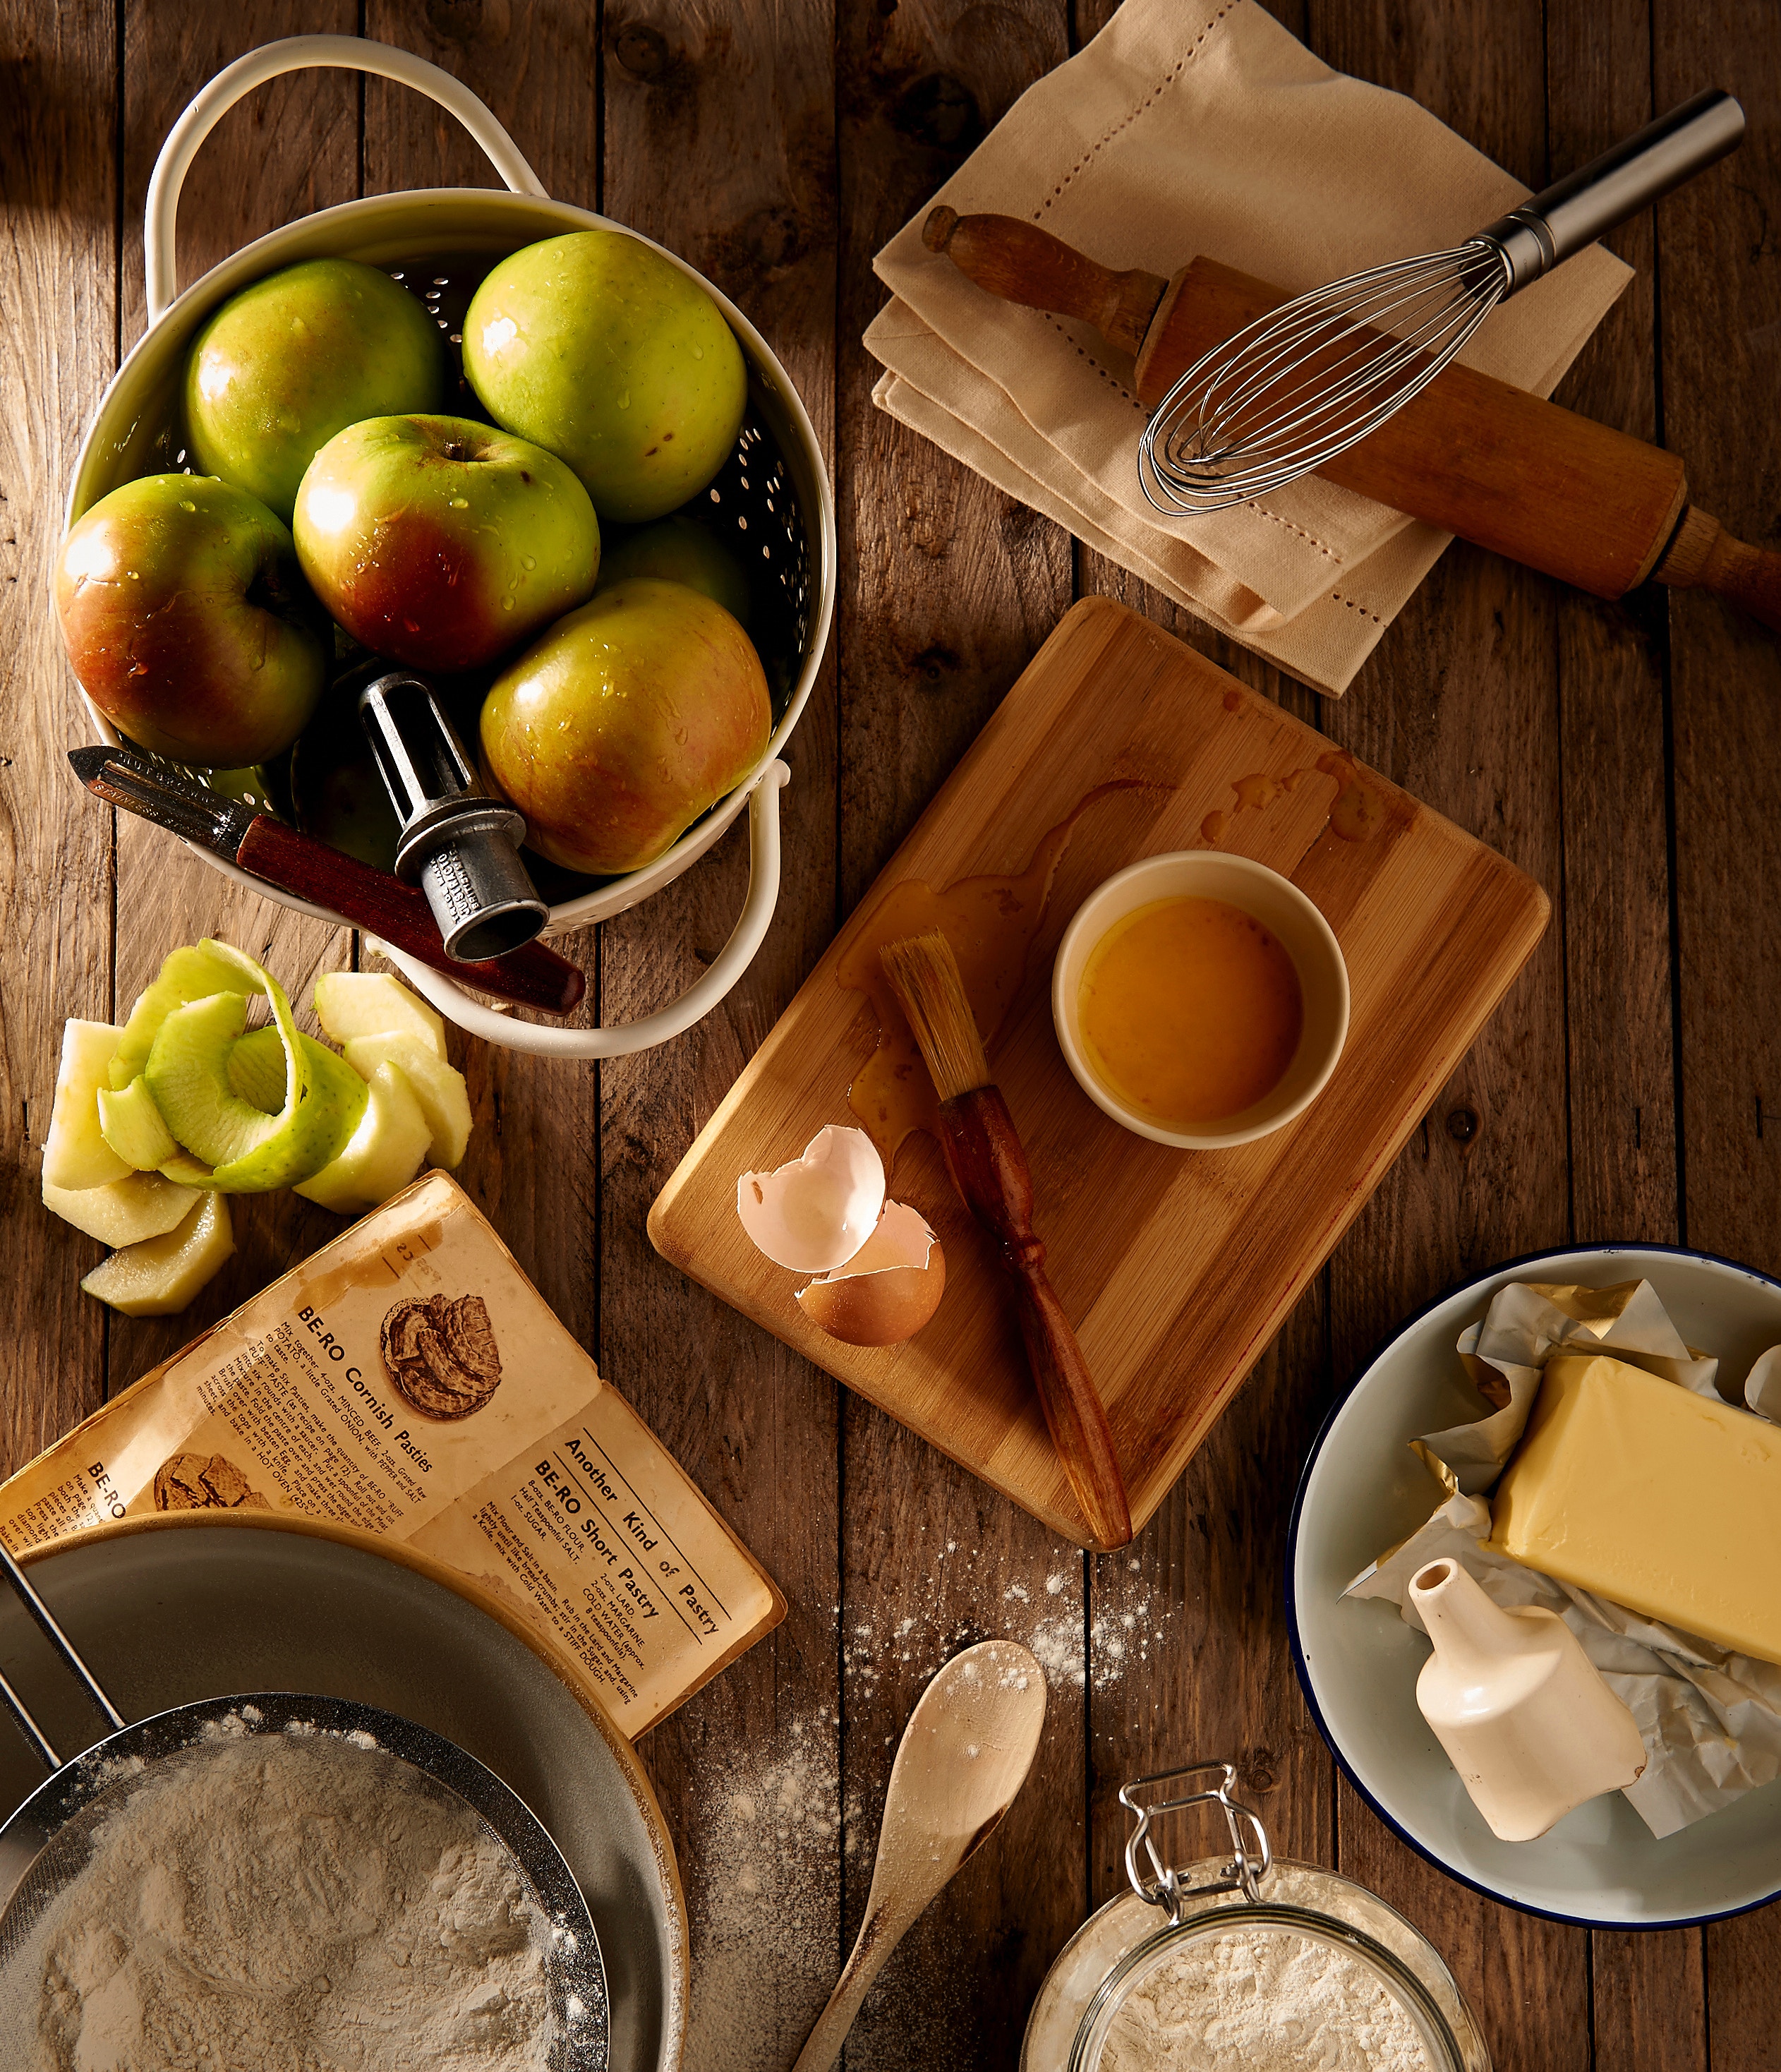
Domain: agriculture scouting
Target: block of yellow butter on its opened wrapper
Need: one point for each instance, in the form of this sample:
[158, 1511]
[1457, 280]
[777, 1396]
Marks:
[1652, 1497]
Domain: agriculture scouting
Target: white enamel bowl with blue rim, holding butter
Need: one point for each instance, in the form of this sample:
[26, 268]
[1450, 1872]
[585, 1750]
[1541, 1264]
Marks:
[1366, 1491]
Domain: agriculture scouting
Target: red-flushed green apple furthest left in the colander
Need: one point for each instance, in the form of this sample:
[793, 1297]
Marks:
[189, 625]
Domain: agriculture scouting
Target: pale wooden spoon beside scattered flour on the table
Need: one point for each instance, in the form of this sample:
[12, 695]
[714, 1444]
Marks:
[964, 1756]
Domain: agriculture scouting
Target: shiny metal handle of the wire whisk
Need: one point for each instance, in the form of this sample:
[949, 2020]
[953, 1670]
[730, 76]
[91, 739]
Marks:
[1600, 196]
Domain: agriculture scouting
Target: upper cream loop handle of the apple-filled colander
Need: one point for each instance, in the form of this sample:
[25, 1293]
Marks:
[301, 55]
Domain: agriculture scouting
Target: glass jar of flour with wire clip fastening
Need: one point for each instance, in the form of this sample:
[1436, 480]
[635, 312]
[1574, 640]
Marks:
[1244, 1961]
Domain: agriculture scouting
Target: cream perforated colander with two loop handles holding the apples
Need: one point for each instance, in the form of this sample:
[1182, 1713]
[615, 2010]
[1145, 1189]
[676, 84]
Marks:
[771, 498]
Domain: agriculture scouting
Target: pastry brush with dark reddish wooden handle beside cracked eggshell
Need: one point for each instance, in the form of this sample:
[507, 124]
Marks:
[991, 1174]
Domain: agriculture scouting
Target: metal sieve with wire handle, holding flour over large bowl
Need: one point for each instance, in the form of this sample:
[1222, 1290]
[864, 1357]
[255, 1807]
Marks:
[49, 1841]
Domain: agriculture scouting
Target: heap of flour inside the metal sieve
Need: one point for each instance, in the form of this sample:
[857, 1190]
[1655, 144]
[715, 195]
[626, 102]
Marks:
[287, 1903]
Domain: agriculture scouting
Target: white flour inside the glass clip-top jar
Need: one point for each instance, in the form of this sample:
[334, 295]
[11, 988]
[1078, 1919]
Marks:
[1262, 2003]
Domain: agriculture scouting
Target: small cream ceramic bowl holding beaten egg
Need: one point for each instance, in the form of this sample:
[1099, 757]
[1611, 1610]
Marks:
[1281, 909]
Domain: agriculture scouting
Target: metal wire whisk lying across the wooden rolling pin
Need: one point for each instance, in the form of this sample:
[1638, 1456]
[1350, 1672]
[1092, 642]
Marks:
[1314, 378]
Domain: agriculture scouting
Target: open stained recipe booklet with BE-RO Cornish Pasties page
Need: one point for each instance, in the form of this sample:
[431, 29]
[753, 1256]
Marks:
[413, 1383]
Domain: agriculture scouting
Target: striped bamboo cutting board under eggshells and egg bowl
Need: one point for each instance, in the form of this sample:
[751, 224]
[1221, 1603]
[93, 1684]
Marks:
[1175, 1267]
